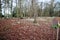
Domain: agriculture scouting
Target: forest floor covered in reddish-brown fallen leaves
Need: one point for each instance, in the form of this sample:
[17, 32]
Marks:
[25, 29]
